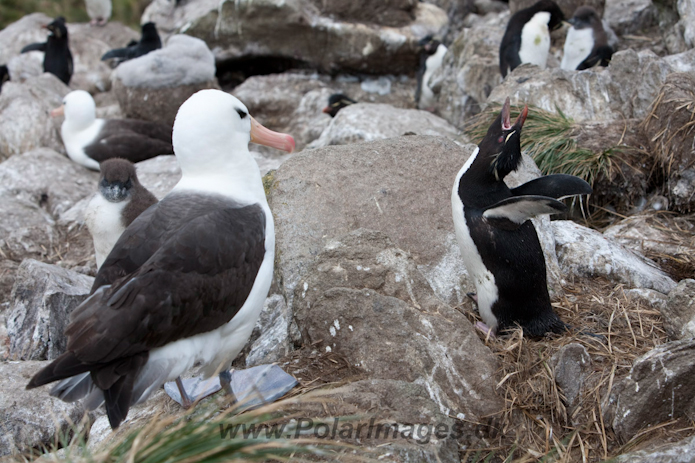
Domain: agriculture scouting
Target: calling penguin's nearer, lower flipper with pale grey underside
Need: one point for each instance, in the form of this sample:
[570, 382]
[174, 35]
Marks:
[511, 213]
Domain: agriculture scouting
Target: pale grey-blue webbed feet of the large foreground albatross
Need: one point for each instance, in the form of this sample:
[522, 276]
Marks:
[252, 387]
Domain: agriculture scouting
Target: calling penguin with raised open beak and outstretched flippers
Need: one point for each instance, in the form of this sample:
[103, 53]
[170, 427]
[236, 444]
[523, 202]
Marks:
[498, 242]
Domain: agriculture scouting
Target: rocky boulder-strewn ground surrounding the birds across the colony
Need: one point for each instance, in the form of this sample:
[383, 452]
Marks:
[368, 303]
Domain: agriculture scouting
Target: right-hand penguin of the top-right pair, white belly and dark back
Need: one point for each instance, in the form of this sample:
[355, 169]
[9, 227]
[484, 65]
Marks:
[587, 41]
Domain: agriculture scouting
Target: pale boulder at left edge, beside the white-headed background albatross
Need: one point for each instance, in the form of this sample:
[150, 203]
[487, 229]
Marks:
[25, 123]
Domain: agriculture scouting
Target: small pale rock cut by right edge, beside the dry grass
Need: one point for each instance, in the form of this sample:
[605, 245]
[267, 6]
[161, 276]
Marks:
[679, 311]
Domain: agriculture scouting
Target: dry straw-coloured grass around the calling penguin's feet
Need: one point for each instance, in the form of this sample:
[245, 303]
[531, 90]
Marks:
[537, 424]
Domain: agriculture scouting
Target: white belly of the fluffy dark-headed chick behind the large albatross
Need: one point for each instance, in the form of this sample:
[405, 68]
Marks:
[103, 219]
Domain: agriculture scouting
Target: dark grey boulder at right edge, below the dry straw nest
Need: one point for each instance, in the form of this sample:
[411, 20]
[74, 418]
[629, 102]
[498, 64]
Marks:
[659, 388]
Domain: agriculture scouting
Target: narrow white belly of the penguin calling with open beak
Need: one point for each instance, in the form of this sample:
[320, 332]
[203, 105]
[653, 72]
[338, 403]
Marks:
[486, 288]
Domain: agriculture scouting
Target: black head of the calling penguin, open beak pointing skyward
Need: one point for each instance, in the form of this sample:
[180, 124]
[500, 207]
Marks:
[502, 143]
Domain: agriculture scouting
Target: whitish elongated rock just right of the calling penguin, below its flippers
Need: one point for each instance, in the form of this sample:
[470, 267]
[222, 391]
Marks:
[582, 252]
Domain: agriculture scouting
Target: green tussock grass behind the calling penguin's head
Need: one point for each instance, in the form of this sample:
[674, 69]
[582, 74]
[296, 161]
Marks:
[549, 138]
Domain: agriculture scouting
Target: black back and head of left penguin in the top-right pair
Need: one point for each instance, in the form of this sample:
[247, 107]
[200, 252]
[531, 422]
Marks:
[511, 41]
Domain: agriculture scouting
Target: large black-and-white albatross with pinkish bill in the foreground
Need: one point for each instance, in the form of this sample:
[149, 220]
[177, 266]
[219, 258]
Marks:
[185, 283]
